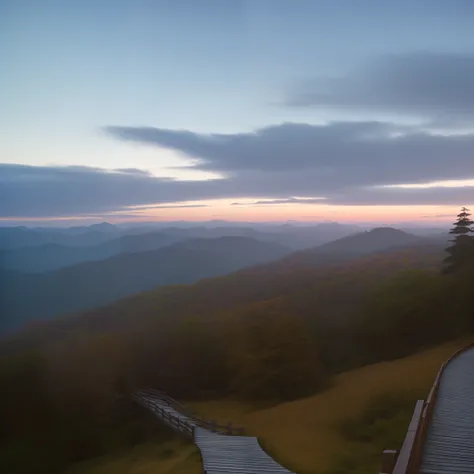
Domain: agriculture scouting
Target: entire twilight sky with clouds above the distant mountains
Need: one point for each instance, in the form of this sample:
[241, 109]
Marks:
[265, 110]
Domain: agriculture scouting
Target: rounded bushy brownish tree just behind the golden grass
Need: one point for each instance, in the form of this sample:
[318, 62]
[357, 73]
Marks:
[274, 358]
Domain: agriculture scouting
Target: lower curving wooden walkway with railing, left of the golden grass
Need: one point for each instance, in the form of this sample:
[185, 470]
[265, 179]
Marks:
[221, 453]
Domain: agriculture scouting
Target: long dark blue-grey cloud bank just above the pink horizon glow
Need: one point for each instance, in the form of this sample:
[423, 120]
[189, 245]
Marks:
[346, 163]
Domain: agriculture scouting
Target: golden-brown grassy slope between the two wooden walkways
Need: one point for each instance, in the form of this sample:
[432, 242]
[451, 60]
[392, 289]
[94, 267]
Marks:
[304, 435]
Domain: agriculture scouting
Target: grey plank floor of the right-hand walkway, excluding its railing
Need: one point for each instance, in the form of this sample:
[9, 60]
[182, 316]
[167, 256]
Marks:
[449, 444]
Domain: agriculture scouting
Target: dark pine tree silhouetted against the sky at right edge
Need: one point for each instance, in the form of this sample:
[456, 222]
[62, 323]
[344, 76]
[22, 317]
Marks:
[461, 252]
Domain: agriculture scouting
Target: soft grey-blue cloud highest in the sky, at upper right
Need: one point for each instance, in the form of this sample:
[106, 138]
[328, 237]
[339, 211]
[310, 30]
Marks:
[426, 85]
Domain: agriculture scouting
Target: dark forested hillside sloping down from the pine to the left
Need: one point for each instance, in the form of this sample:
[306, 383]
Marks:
[260, 335]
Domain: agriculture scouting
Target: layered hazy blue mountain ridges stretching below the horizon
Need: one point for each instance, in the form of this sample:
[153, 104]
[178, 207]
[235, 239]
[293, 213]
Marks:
[125, 265]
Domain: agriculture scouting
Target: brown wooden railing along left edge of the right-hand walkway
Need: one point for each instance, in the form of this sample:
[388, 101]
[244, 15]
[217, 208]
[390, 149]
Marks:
[408, 460]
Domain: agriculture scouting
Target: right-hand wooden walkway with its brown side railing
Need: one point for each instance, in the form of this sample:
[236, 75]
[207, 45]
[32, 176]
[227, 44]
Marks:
[440, 437]
